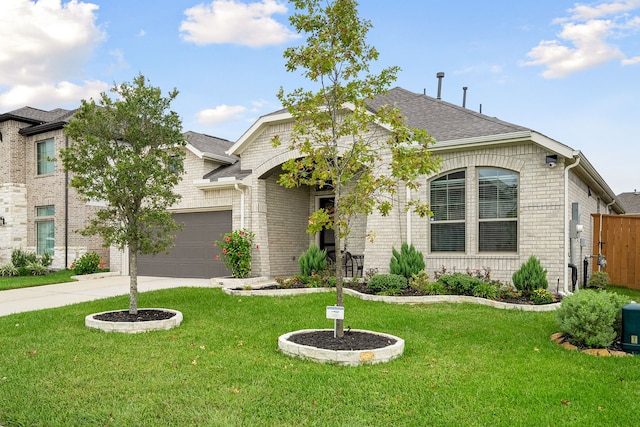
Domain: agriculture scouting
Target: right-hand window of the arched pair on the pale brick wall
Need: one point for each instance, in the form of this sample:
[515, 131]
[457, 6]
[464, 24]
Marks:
[498, 210]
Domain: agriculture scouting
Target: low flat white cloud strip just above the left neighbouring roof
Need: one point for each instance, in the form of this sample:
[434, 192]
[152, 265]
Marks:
[47, 95]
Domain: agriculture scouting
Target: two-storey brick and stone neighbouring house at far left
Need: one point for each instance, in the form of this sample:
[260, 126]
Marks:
[39, 212]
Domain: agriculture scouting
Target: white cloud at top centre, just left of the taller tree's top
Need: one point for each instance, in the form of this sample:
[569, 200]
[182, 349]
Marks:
[230, 21]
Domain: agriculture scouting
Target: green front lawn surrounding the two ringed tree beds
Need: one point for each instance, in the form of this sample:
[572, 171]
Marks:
[463, 364]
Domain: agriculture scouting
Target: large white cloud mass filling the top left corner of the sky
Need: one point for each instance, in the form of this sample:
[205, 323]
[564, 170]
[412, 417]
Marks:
[44, 45]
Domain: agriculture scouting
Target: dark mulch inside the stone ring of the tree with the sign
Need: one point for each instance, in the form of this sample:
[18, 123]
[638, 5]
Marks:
[352, 340]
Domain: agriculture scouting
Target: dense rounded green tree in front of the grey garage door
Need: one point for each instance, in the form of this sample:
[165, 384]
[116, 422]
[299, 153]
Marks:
[127, 153]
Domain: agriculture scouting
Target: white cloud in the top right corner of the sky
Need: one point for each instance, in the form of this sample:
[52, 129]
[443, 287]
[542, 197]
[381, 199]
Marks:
[585, 41]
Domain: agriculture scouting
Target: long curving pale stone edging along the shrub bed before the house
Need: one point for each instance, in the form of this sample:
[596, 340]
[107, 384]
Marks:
[427, 299]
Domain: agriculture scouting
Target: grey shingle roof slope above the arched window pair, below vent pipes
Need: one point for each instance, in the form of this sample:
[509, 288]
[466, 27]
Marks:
[444, 121]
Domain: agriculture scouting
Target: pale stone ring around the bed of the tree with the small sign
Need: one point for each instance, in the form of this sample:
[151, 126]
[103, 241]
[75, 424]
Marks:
[341, 357]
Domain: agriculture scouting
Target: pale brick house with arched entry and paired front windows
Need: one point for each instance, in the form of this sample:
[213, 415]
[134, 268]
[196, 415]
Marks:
[504, 193]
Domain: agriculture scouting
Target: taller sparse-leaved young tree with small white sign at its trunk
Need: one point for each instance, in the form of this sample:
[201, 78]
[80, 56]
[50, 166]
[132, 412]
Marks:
[359, 154]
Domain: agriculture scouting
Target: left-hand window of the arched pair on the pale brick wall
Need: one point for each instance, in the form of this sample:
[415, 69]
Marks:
[448, 205]
